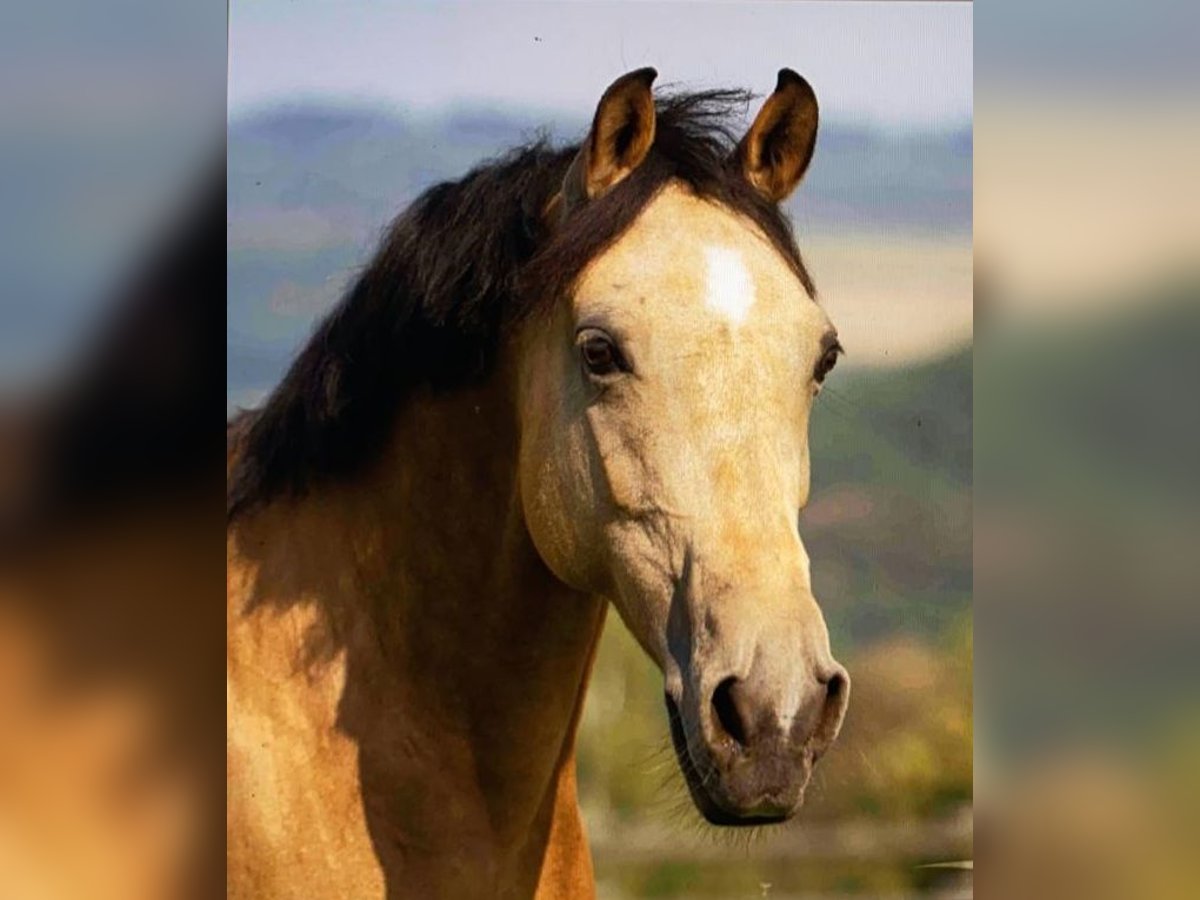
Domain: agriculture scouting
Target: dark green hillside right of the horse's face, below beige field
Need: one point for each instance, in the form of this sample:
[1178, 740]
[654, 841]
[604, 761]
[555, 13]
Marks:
[890, 523]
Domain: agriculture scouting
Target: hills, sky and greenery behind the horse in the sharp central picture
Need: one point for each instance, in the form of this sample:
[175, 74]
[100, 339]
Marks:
[340, 116]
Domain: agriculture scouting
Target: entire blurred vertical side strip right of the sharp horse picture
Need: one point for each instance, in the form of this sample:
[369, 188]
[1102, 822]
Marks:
[1088, 590]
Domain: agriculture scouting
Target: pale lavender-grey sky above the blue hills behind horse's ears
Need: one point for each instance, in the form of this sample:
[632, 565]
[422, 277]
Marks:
[883, 63]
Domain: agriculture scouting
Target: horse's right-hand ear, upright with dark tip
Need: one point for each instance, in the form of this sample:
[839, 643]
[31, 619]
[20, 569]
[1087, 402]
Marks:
[778, 149]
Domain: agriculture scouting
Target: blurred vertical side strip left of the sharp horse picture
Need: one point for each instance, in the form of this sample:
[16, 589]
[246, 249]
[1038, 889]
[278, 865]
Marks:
[112, 549]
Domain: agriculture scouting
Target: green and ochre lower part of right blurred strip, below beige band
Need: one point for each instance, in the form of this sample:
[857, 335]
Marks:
[1087, 586]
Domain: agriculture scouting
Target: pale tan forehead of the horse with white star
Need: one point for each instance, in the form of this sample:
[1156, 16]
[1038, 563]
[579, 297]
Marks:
[700, 256]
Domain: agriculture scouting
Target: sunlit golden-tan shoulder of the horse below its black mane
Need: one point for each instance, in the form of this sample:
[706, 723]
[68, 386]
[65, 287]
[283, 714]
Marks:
[296, 821]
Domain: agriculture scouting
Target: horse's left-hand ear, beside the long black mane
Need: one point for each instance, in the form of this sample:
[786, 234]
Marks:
[621, 137]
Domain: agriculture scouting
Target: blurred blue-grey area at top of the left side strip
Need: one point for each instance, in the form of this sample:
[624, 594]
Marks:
[112, 116]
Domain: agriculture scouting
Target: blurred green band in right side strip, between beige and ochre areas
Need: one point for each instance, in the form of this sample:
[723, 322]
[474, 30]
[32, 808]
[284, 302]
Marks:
[1088, 531]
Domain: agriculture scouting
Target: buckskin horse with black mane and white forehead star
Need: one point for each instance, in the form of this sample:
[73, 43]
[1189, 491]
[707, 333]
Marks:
[575, 377]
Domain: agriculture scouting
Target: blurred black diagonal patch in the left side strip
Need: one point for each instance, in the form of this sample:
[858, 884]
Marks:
[139, 419]
